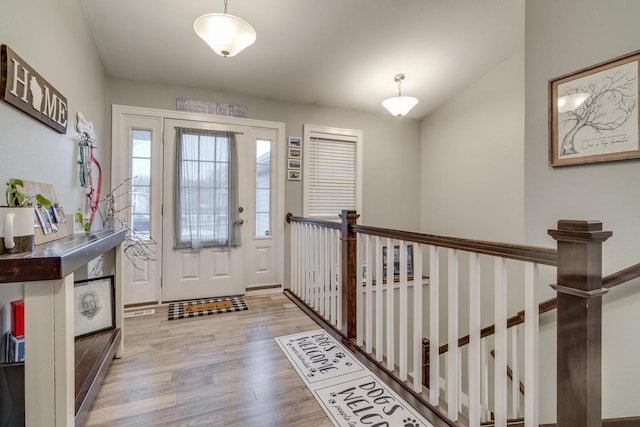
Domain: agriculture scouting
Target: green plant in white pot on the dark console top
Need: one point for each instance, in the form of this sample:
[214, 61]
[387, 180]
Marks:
[17, 218]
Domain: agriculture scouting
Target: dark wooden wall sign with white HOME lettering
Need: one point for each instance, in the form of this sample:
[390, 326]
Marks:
[22, 87]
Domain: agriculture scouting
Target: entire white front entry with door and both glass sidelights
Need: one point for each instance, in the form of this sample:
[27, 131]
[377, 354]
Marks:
[200, 271]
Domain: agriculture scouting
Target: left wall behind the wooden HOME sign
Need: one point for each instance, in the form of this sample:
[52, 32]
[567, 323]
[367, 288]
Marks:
[53, 37]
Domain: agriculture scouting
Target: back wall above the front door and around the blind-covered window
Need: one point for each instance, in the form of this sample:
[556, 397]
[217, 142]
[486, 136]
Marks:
[391, 145]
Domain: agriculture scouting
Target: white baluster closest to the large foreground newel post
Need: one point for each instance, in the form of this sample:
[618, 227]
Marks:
[531, 349]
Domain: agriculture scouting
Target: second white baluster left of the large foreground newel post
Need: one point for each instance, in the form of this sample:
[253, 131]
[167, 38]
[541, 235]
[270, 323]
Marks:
[500, 343]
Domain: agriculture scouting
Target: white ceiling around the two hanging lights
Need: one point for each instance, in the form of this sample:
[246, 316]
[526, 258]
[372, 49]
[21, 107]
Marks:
[341, 53]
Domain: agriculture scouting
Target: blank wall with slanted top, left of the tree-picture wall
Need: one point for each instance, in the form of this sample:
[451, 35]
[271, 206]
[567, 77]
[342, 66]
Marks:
[472, 170]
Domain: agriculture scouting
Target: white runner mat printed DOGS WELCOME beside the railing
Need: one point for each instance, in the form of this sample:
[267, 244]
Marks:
[347, 391]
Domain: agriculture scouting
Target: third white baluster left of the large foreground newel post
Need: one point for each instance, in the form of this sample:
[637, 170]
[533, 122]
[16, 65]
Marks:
[474, 369]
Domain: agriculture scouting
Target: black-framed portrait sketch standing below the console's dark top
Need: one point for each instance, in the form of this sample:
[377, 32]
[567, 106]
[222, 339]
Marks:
[94, 306]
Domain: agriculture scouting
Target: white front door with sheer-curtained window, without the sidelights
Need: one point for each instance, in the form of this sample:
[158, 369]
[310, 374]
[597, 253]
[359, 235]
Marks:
[203, 271]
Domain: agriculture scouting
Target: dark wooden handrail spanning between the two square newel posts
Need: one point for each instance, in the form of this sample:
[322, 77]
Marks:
[535, 254]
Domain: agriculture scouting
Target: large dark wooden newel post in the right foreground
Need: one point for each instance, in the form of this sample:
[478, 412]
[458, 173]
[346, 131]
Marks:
[579, 325]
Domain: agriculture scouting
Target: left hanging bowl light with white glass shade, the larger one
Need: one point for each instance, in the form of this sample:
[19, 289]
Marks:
[226, 34]
